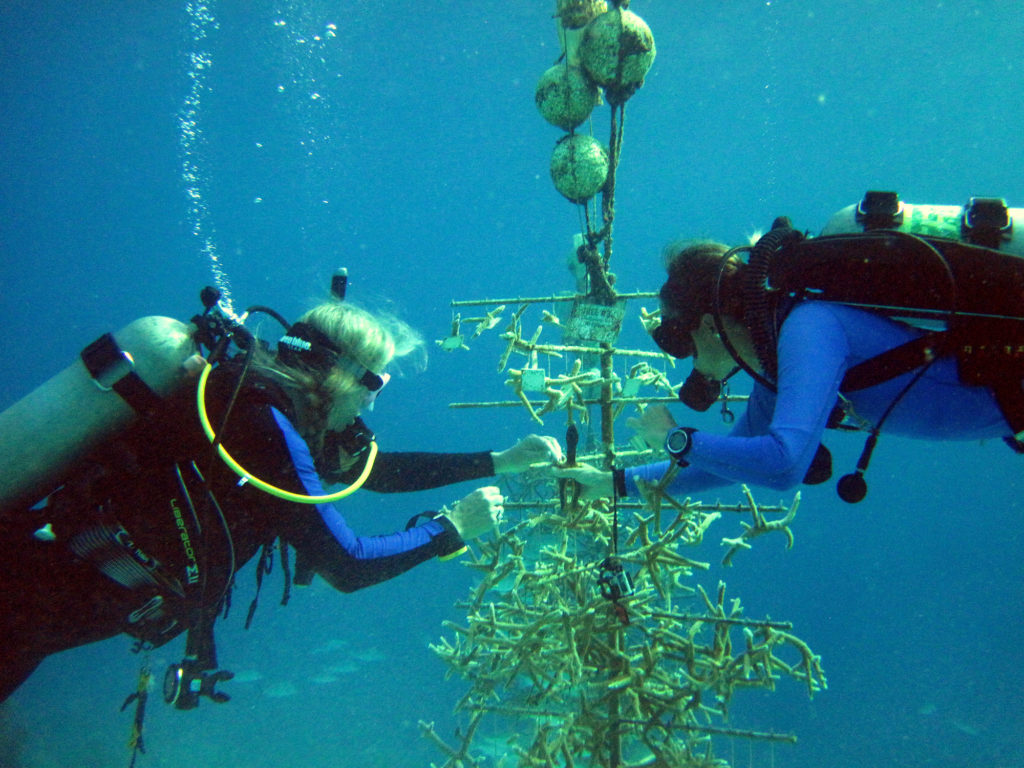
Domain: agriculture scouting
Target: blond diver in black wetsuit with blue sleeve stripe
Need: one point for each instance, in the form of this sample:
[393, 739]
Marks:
[147, 536]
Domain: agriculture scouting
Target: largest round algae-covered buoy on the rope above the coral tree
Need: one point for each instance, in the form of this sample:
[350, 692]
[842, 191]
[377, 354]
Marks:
[618, 51]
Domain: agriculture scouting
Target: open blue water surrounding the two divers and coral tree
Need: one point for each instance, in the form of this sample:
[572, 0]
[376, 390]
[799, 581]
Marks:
[422, 167]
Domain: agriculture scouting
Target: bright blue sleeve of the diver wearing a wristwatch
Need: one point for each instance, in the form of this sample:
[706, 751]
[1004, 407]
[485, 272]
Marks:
[775, 442]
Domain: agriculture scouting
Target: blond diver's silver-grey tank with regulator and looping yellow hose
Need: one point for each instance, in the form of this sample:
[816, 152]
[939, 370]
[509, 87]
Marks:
[122, 376]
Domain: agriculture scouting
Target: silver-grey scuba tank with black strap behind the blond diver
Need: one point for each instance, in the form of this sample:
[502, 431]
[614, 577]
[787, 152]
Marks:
[118, 377]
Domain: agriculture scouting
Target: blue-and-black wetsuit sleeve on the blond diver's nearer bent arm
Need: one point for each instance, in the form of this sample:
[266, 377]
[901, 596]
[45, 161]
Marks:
[347, 561]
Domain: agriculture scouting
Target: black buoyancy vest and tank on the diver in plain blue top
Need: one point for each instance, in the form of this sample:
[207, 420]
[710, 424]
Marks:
[957, 273]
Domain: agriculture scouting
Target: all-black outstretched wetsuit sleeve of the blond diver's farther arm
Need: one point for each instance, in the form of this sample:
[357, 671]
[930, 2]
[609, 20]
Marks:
[399, 473]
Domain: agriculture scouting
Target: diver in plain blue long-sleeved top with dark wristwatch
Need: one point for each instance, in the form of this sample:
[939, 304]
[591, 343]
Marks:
[777, 443]
